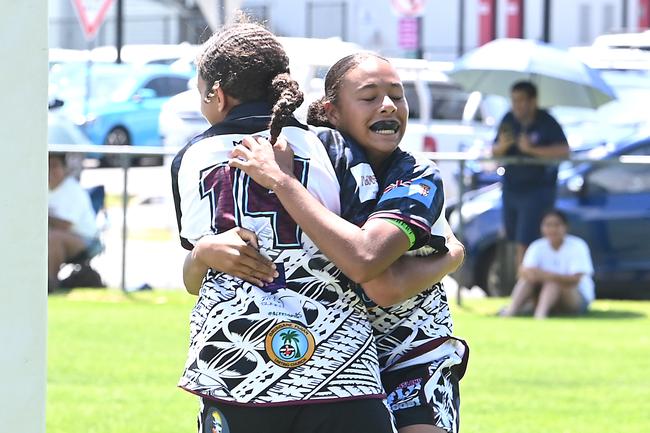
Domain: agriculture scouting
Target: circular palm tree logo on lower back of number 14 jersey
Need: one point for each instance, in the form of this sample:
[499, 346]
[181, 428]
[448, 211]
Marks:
[289, 345]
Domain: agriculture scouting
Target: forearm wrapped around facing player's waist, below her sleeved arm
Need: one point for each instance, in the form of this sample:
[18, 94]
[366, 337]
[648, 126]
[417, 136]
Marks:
[409, 275]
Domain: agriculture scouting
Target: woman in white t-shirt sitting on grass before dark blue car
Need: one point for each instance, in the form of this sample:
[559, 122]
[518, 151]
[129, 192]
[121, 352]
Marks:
[555, 275]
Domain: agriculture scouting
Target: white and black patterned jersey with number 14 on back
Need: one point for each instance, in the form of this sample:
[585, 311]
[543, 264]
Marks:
[304, 337]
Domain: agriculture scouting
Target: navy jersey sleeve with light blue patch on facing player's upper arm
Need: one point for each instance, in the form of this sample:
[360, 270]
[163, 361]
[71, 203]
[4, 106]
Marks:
[413, 193]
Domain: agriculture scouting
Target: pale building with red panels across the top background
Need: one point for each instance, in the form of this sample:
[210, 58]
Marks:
[374, 24]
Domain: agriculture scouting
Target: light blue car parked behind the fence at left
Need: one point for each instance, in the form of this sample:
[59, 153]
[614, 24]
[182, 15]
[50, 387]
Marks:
[118, 104]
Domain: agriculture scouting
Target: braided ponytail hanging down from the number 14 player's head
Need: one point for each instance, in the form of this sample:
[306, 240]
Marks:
[285, 95]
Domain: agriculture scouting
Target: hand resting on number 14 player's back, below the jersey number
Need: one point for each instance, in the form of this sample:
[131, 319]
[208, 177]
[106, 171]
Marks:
[235, 252]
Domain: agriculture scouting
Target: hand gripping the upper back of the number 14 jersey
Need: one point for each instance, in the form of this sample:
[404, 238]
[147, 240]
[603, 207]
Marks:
[257, 158]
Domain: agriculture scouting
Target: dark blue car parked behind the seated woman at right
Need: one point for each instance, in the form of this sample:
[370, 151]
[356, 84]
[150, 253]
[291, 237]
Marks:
[608, 205]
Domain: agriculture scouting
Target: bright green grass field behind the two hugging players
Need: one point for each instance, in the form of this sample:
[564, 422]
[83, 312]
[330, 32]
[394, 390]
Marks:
[113, 363]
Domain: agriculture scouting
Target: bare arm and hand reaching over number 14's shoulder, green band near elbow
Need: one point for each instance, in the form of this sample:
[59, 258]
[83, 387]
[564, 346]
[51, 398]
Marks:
[361, 253]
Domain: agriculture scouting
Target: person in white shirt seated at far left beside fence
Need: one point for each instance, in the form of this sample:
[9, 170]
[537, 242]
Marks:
[72, 226]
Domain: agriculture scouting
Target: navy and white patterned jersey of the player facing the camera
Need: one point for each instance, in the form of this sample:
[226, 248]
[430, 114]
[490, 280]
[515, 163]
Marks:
[411, 191]
